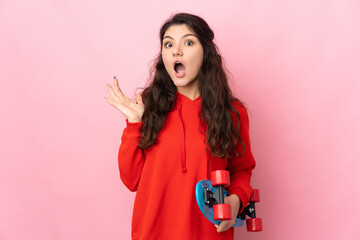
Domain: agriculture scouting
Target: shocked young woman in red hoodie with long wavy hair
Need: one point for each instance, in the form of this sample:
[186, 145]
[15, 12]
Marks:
[183, 126]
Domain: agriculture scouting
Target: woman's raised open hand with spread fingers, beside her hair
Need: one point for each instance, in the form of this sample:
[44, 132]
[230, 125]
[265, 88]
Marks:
[133, 111]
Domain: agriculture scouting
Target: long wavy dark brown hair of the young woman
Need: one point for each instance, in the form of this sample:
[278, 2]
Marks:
[217, 110]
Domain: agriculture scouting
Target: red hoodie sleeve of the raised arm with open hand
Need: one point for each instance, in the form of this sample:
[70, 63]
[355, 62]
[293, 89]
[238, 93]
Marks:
[130, 157]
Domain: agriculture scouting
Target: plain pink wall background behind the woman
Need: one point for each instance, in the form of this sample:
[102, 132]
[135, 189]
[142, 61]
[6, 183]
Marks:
[294, 63]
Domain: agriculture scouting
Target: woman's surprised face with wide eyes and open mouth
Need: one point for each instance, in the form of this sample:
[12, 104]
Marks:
[183, 55]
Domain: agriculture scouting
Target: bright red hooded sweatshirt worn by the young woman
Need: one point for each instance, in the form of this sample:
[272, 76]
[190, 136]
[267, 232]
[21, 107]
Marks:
[165, 177]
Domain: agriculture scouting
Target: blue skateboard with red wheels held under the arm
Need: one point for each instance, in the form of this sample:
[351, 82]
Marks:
[210, 198]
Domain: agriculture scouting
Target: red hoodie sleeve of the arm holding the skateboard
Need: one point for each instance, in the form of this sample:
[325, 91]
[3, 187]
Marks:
[240, 168]
